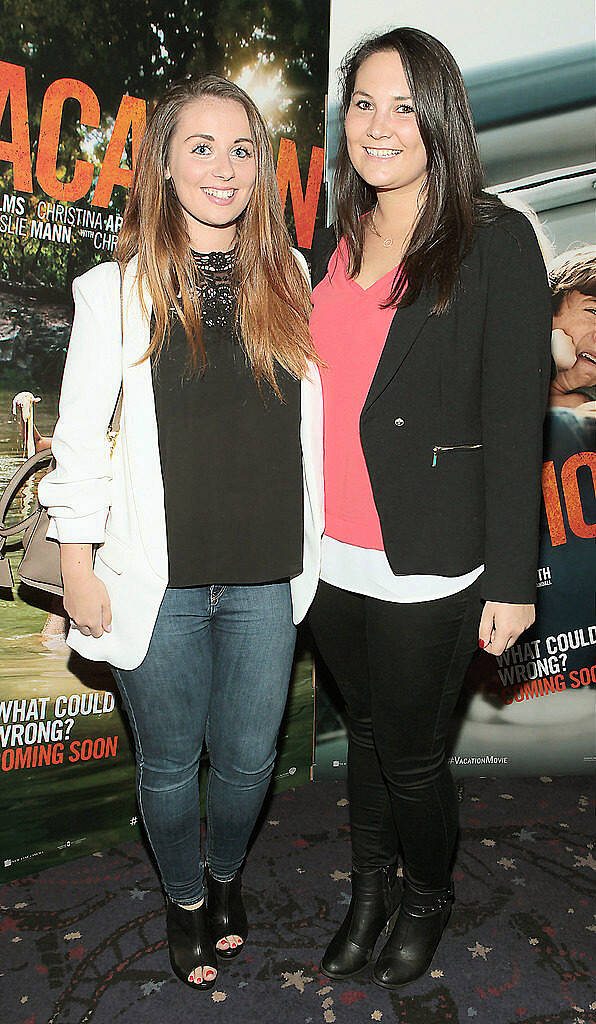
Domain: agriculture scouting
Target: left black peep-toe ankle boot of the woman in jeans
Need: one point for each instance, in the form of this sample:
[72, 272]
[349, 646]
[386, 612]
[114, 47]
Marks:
[190, 943]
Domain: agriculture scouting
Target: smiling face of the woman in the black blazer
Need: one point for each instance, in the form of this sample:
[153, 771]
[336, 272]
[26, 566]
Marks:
[384, 141]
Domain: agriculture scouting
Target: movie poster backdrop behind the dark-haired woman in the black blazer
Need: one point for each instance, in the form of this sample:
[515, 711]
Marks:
[530, 74]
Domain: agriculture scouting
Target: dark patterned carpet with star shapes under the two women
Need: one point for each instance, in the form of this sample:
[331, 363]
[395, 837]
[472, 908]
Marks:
[86, 943]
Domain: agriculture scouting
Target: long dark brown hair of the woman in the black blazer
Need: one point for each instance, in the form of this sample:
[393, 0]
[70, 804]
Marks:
[453, 202]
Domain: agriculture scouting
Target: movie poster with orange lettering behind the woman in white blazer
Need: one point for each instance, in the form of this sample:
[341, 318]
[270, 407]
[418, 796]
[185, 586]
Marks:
[75, 91]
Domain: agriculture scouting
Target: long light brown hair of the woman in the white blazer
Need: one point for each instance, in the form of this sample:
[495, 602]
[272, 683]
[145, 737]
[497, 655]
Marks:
[274, 304]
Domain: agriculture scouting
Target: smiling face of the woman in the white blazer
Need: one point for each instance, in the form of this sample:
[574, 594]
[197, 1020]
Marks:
[212, 166]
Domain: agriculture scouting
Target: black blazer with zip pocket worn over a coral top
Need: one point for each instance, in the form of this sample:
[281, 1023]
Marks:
[452, 425]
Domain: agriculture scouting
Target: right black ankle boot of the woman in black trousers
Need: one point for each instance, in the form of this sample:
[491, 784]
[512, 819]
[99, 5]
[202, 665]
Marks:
[417, 932]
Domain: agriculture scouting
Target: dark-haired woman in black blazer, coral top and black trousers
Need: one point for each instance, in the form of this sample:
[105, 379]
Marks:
[432, 312]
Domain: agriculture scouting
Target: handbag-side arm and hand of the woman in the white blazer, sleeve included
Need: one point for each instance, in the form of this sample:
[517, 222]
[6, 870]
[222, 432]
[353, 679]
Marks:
[77, 493]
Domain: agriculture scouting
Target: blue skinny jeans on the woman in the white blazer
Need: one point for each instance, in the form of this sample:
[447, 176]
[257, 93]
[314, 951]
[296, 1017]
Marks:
[217, 671]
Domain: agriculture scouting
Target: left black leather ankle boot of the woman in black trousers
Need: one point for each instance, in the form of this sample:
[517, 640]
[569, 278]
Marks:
[373, 903]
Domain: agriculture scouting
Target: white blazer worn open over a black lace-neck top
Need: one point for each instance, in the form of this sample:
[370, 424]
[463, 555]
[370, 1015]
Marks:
[118, 503]
